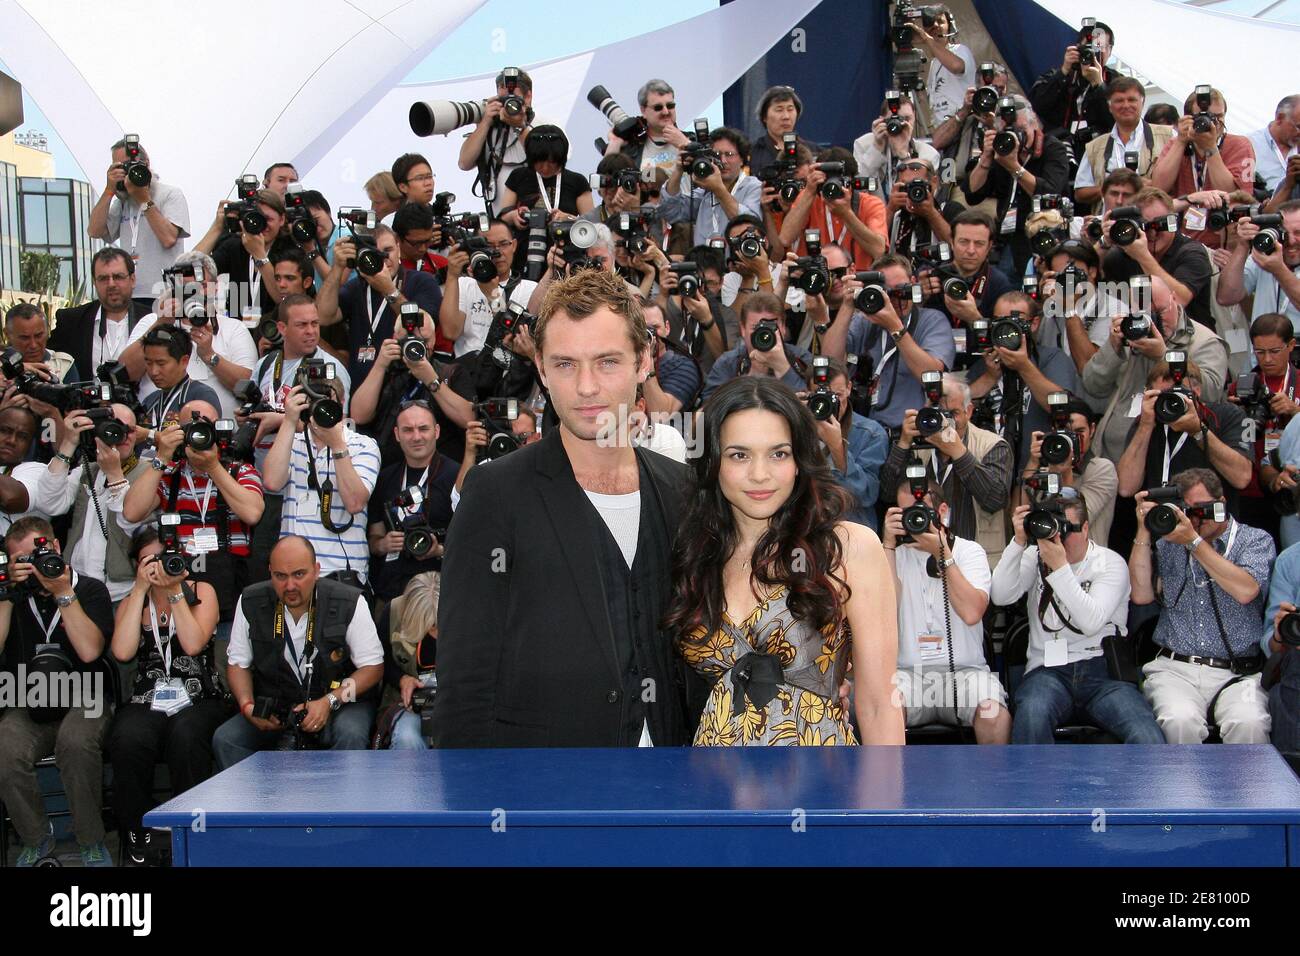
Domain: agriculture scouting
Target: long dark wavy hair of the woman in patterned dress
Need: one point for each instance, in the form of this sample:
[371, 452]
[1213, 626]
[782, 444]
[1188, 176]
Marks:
[800, 548]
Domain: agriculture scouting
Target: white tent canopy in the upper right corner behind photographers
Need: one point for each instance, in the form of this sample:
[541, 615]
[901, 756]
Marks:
[1180, 46]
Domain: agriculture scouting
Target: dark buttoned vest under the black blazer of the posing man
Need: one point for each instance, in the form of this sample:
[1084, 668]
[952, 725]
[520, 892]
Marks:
[635, 600]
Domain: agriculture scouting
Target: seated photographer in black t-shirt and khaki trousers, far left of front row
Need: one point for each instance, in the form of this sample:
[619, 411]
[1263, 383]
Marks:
[73, 612]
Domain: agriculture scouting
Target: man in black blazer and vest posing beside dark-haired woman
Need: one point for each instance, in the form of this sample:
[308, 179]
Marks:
[557, 565]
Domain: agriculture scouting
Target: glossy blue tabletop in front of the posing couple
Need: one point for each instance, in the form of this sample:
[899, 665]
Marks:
[748, 786]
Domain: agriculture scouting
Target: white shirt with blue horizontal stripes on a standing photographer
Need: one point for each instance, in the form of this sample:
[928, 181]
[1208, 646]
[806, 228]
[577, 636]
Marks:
[302, 514]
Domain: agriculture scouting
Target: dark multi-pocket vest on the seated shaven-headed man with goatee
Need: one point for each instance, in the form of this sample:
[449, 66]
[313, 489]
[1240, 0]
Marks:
[274, 677]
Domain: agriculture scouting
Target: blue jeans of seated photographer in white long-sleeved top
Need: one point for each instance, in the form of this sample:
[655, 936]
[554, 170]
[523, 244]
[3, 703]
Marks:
[1050, 697]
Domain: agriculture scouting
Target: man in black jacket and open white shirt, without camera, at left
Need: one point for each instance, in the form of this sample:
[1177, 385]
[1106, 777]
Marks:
[99, 331]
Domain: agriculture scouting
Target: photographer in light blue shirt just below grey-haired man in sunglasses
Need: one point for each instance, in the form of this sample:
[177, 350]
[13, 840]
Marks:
[717, 200]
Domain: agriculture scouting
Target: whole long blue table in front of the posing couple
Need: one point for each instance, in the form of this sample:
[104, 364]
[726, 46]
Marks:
[885, 806]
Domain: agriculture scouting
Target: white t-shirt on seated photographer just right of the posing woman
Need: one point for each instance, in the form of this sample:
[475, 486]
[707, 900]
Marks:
[921, 609]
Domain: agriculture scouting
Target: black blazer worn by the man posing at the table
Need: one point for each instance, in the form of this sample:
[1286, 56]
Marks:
[526, 647]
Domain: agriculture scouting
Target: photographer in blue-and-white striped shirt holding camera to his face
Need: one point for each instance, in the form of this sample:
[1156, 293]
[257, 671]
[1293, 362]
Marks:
[327, 477]
